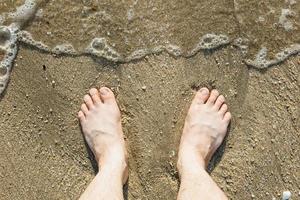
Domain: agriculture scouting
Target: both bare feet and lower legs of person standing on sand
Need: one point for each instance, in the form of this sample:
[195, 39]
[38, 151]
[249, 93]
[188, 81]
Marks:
[204, 130]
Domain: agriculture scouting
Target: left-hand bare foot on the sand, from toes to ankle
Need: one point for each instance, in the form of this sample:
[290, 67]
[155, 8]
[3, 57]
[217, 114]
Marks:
[100, 119]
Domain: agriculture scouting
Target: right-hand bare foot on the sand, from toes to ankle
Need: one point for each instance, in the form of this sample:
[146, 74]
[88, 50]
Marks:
[204, 130]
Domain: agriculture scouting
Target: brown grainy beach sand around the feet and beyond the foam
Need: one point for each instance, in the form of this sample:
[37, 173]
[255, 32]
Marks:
[42, 152]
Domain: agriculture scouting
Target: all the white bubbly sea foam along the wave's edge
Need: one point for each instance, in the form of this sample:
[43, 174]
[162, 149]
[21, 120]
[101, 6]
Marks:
[99, 47]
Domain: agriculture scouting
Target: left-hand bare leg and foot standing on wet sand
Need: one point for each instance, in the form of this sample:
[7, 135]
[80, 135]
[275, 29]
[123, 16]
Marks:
[100, 120]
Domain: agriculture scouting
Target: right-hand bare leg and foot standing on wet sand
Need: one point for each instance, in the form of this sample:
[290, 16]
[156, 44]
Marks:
[204, 130]
